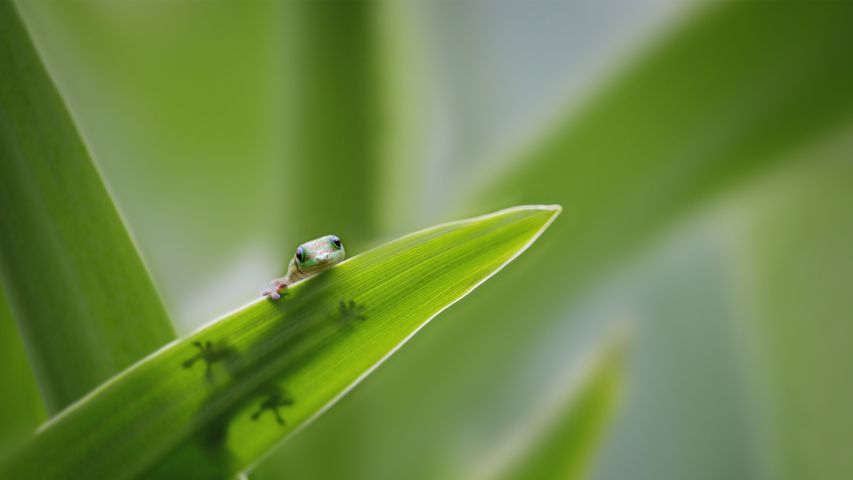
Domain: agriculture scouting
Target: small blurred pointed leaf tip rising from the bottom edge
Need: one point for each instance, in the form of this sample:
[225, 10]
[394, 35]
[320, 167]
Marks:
[569, 441]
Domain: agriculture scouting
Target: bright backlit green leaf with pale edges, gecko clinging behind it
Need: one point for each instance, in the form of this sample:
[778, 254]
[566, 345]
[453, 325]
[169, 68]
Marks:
[210, 405]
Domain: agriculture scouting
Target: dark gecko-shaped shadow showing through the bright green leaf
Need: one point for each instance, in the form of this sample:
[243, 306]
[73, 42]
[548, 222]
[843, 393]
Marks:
[258, 371]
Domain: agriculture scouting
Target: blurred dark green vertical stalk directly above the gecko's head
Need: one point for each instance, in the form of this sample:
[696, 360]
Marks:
[332, 105]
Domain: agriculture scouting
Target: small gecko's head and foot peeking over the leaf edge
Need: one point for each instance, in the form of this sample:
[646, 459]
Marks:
[310, 259]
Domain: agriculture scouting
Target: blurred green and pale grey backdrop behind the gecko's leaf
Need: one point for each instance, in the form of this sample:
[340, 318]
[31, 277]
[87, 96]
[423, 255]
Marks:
[701, 152]
